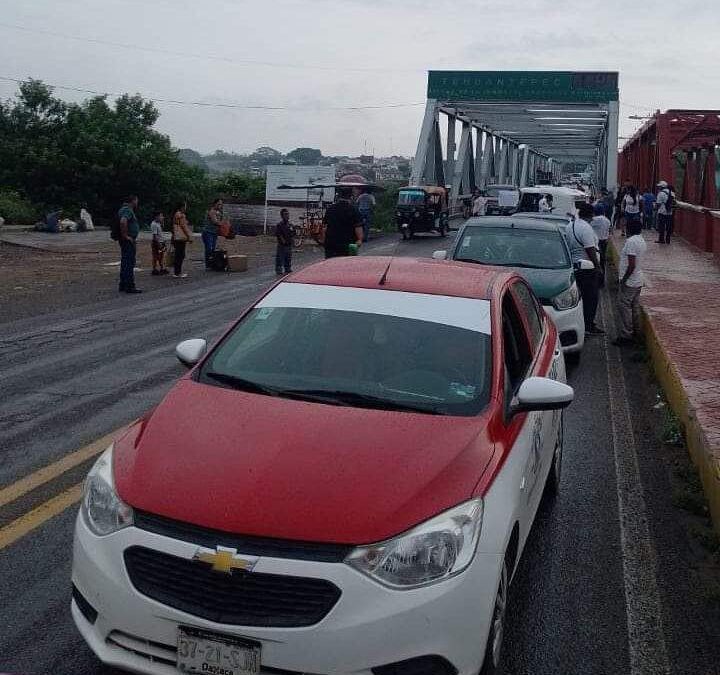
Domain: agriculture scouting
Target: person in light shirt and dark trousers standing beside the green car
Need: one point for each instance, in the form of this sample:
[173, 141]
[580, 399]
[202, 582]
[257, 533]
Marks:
[584, 253]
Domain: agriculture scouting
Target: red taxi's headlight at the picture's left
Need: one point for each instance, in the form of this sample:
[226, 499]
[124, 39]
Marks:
[103, 510]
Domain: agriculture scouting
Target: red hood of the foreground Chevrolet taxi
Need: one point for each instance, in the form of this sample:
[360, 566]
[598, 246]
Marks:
[260, 465]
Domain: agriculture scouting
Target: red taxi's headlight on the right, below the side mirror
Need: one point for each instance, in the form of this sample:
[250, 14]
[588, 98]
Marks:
[435, 550]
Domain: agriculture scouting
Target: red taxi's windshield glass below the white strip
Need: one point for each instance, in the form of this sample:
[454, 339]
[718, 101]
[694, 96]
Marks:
[355, 358]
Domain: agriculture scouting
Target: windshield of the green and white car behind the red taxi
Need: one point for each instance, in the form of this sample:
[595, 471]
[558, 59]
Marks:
[513, 247]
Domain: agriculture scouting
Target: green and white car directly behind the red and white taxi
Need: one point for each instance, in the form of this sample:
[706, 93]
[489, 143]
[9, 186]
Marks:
[537, 249]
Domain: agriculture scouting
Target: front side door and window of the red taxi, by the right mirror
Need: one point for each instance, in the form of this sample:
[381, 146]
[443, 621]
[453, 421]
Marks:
[525, 428]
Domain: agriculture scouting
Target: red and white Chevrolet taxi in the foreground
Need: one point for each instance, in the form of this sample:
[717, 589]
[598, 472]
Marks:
[344, 483]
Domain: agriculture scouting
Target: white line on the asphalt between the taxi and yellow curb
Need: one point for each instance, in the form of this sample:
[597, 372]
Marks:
[646, 638]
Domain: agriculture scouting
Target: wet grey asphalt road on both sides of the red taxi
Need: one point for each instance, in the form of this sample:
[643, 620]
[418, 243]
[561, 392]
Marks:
[605, 584]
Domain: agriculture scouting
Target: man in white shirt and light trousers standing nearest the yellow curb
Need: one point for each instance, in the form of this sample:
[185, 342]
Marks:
[631, 283]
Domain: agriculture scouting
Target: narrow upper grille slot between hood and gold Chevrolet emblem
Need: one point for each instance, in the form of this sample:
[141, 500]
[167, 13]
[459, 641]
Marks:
[255, 546]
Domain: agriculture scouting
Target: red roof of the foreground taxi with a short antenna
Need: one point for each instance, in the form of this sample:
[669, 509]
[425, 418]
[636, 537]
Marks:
[412, 275]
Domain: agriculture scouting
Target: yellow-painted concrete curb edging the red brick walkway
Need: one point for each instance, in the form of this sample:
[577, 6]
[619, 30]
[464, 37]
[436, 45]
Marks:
[699, 447]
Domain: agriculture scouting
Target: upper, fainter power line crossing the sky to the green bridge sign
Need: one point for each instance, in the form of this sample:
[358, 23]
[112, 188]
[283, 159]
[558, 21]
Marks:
[206, 57]
